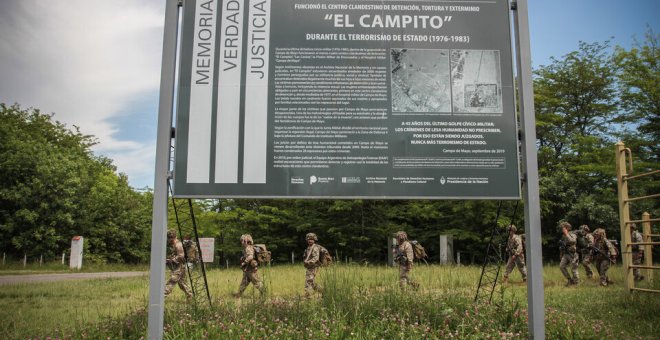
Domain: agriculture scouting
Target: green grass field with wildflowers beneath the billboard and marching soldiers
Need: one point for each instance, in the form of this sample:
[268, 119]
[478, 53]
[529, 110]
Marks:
[358, 302]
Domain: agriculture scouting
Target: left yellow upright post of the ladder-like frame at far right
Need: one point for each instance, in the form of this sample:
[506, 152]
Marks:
[624, 212]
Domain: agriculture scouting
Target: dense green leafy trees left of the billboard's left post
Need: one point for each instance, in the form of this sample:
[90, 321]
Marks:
[52, 187]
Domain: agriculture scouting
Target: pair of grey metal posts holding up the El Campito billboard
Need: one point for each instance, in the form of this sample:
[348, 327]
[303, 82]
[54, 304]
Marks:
[535, 293]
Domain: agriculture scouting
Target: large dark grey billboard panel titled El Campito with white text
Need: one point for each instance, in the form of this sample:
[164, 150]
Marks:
[346, 99]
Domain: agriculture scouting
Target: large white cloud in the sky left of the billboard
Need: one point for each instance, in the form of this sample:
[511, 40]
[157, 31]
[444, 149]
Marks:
[85, 60]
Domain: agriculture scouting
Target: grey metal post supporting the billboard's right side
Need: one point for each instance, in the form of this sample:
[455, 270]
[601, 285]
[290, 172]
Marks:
[536, 322]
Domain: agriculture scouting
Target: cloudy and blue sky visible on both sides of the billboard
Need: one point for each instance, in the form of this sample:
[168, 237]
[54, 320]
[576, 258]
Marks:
[95, 64]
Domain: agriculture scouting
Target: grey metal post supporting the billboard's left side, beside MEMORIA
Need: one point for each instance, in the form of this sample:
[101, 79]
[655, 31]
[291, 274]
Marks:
[159, 217]
